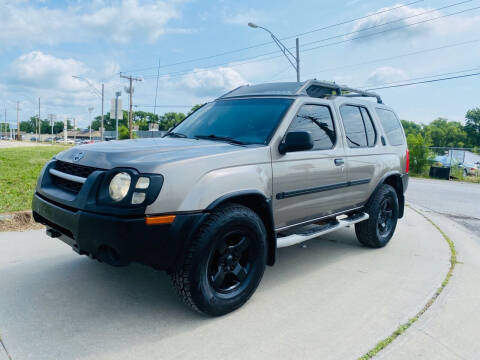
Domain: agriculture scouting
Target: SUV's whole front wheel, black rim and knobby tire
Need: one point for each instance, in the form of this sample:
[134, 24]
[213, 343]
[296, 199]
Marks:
[224, 263]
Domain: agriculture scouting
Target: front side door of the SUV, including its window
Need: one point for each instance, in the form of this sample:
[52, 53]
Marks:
[309, 184]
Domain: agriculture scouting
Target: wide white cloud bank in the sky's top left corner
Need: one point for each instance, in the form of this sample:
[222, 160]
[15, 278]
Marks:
[23, 23]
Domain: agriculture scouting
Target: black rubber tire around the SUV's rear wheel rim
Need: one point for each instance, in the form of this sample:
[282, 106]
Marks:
[368, 231]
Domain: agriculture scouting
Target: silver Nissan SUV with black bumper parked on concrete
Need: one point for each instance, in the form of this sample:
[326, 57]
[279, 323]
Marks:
[262, 167]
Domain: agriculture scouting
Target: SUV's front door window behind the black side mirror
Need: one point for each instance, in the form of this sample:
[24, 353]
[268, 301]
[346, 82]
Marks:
[316, 119]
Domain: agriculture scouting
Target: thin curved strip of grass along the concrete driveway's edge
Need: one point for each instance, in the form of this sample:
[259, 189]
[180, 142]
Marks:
[404, 327]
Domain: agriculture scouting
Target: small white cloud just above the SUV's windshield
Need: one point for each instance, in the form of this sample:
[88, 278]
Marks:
[212, 82]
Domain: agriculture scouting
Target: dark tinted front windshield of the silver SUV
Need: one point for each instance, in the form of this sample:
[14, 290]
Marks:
[247, 121]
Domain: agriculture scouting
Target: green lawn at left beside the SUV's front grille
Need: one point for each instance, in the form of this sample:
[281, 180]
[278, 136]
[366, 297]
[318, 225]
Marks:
[19, 170]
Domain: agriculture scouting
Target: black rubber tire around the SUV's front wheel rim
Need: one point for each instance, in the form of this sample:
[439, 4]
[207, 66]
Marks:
[192, 281]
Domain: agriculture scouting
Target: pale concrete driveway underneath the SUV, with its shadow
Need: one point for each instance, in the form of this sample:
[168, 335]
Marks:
[332, 299]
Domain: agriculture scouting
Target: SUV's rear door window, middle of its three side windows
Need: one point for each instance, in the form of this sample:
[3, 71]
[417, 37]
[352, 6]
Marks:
[358, 125]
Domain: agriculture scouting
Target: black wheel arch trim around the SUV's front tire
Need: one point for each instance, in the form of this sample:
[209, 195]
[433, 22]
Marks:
[261, 205]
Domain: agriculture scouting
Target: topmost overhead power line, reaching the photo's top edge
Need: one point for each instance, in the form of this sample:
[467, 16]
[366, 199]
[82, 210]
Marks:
[285, 38]
